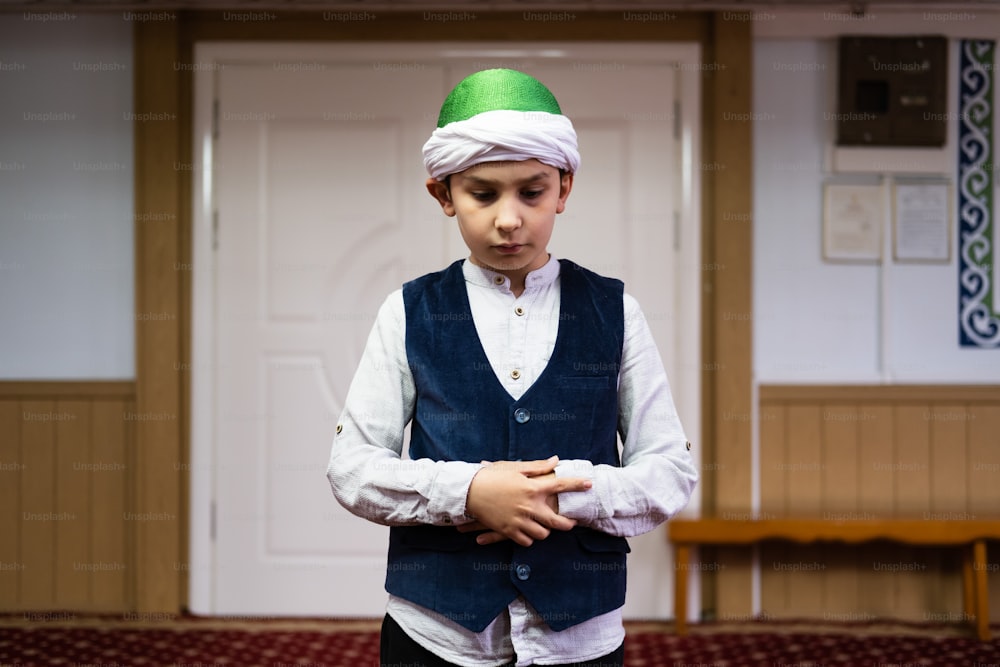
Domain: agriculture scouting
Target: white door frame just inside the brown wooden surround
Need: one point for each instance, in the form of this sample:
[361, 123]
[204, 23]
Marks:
[213, 57]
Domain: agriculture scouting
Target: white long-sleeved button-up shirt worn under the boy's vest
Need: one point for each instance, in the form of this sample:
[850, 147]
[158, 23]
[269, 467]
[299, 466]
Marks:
[371, 479]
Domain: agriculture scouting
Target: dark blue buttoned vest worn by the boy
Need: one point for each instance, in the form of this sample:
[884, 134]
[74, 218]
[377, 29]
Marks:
[463, 413]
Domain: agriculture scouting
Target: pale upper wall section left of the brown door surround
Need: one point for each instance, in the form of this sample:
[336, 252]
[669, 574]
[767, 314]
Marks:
[66, 242]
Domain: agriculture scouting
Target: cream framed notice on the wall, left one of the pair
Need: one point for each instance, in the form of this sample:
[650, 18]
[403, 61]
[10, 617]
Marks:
[852, 222]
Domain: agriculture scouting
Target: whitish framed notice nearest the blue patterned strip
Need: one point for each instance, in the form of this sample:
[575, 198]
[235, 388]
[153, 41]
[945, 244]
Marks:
[921, 220]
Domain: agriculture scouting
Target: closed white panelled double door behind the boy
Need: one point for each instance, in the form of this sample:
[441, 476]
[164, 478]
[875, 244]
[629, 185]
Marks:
[316, 183]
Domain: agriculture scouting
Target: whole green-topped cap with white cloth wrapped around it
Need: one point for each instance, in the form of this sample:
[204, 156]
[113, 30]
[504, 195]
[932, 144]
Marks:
[500, 114]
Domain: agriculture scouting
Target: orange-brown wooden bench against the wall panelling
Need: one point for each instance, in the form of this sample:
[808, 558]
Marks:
[970, 535]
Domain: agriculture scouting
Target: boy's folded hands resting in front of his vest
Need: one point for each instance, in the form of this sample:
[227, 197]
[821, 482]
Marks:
[518, 500]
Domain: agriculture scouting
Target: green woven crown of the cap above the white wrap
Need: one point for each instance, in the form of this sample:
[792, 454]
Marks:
[494, 90]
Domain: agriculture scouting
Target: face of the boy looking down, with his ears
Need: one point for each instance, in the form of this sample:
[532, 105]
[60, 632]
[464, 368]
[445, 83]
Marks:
[505, 212]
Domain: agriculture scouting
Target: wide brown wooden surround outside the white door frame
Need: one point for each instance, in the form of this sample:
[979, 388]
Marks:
[163, 49]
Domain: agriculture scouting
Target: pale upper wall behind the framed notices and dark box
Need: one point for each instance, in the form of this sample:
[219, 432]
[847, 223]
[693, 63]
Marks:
[824, 322]
